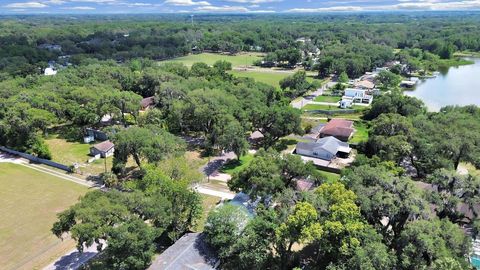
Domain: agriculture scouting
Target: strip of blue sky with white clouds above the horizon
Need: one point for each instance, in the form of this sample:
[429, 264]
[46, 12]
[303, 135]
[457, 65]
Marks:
[228, 6]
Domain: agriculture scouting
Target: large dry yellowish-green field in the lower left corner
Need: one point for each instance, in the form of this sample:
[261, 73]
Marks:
[30, 201]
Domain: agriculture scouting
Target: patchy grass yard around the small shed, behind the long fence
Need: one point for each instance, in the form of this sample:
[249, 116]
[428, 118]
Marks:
[68, 153]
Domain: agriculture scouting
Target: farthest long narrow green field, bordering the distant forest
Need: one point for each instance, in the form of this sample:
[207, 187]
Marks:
[238, 60]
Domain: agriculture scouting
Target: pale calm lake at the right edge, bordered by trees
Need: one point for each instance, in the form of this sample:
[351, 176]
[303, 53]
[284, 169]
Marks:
[453, 86]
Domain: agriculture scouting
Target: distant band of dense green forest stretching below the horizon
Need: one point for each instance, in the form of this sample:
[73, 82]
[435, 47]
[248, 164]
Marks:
[356, 41]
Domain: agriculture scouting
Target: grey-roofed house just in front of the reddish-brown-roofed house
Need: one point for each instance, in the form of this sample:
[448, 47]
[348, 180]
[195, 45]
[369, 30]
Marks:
[326, 148]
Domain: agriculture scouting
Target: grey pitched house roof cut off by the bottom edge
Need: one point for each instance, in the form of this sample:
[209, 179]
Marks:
[189, 252]
